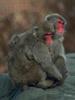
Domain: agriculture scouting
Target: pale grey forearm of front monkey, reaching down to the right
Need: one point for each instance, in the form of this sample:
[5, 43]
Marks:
[42, 56]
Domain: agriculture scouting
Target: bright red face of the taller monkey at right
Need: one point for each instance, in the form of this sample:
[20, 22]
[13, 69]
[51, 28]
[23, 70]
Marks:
[60, 27]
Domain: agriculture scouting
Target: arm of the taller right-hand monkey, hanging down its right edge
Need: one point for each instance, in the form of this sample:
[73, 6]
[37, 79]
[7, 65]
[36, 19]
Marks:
[60, 61]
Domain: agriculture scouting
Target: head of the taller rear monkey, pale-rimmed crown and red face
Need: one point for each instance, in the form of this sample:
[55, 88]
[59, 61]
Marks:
[56, 24]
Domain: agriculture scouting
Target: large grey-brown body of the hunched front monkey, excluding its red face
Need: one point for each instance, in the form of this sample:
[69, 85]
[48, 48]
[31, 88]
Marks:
[29, 61]
